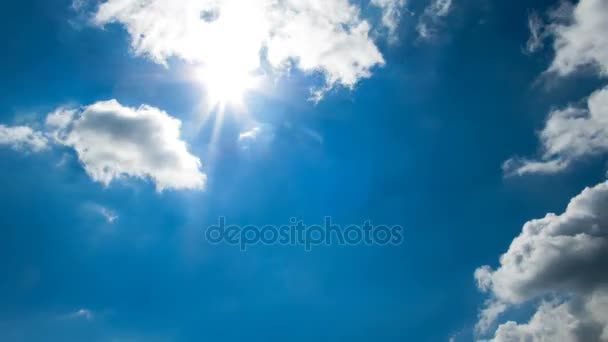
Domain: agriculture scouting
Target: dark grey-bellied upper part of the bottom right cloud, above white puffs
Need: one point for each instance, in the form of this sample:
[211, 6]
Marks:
[556, 253]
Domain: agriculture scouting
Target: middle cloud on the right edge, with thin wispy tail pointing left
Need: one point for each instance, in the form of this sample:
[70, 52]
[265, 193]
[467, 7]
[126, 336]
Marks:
[569, 134]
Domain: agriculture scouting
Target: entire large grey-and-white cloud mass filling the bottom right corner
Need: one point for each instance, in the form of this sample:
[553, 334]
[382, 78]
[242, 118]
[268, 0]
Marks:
[563, 256]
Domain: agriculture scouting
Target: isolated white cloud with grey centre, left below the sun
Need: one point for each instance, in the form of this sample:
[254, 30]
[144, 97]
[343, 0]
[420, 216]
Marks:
[112, 141]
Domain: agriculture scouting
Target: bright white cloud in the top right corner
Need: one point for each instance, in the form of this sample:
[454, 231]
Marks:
[582, 39]
